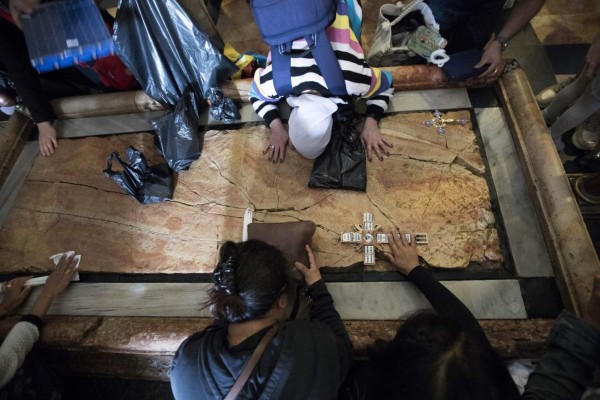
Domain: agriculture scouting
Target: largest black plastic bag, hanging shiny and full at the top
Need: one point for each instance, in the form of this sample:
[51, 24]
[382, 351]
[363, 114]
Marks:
[167, 51]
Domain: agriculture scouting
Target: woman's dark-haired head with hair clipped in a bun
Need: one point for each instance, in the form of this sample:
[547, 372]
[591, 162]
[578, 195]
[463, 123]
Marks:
[250, 278]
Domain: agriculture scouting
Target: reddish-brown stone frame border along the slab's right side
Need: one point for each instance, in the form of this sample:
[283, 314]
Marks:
[572, 253]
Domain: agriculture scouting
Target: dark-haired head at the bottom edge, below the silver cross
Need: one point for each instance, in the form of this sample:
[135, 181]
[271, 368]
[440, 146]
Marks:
[434, 358]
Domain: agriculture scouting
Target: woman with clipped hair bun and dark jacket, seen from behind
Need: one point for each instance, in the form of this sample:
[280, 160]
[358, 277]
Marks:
[302, 359]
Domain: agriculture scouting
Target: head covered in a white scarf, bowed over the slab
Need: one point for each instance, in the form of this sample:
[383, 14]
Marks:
[310, 123]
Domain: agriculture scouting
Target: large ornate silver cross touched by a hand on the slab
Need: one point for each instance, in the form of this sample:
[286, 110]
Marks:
[368, 237]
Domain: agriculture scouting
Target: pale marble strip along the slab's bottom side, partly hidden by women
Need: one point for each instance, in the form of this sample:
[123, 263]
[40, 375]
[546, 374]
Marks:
[490, 299]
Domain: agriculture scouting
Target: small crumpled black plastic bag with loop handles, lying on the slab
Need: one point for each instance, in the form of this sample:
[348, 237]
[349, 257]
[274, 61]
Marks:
[147, 184]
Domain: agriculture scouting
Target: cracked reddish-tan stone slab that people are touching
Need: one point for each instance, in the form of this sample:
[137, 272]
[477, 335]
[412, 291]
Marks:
[429, 183]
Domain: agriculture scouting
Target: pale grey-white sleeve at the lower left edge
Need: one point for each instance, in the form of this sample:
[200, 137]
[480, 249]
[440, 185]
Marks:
[15, 348]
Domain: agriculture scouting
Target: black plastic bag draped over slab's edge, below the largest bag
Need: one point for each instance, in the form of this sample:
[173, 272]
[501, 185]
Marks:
[177, 133]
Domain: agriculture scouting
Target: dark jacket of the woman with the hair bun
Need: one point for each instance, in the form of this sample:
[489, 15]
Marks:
[305, 359]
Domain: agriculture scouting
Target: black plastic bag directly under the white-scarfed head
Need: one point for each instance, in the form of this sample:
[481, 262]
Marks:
[343, 164]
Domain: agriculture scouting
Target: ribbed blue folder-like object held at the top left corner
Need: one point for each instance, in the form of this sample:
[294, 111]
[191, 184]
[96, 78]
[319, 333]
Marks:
[62, 33]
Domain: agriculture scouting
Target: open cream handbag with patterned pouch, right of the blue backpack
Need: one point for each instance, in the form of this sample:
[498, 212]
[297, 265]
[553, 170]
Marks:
[396, 26]
